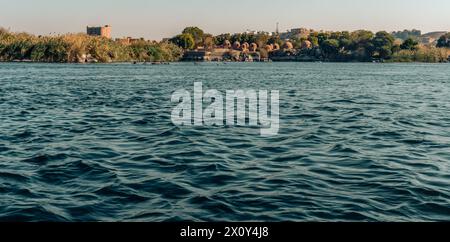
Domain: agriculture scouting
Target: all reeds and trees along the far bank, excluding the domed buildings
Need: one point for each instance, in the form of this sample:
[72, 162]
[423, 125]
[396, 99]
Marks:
[361, 45]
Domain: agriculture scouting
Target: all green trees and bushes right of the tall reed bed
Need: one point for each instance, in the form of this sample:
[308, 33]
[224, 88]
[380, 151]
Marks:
[361, 45]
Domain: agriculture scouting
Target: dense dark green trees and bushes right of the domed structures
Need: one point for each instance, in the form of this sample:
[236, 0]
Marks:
[364, 45]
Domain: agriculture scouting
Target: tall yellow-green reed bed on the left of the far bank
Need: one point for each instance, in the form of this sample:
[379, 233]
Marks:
[81, 48]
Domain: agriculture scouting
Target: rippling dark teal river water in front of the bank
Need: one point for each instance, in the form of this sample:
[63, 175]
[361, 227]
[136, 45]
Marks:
[358, 142]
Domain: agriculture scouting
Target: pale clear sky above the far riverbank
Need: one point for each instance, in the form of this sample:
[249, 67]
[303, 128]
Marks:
[155, 19]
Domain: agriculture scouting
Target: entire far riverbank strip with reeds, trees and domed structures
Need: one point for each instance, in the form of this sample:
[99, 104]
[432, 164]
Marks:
[358, 46]
